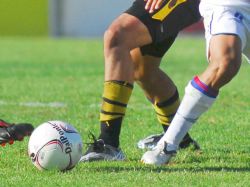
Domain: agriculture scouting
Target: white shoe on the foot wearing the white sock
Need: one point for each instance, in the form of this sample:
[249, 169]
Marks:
[160, 155]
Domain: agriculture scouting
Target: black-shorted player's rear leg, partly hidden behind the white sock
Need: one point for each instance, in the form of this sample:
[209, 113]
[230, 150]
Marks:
[158, 88]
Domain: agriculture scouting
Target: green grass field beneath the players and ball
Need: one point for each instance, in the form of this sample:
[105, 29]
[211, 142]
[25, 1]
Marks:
[45, 79]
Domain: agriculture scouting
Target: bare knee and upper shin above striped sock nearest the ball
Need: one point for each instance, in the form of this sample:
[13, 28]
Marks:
[124, 34]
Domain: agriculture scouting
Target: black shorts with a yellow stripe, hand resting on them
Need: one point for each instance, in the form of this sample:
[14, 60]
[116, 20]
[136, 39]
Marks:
[165, 23]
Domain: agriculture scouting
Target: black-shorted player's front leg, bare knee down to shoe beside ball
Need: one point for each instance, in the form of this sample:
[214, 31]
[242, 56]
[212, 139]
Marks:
[124, 34]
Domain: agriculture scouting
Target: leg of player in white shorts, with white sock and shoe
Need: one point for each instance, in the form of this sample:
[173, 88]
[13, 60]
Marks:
[224, 53]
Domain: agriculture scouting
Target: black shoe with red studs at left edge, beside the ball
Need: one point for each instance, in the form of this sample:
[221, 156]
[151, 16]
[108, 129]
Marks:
[13, 132]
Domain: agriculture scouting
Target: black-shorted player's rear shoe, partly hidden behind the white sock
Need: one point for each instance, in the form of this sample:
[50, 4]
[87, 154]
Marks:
[151, 141]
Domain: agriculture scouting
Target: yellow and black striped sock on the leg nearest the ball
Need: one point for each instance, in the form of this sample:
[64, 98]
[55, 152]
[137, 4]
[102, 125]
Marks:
[114, 103]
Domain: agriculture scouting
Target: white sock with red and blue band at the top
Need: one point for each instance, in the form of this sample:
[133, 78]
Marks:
[195, 102]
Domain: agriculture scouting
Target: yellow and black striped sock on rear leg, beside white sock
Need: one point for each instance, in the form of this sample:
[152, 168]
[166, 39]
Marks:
[166, 110]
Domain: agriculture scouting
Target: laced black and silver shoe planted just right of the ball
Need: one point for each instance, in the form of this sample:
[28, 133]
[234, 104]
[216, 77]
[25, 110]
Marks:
[99, 151]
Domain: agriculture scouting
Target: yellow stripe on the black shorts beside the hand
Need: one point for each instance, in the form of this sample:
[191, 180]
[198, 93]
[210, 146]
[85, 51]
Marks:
[167, 9]
